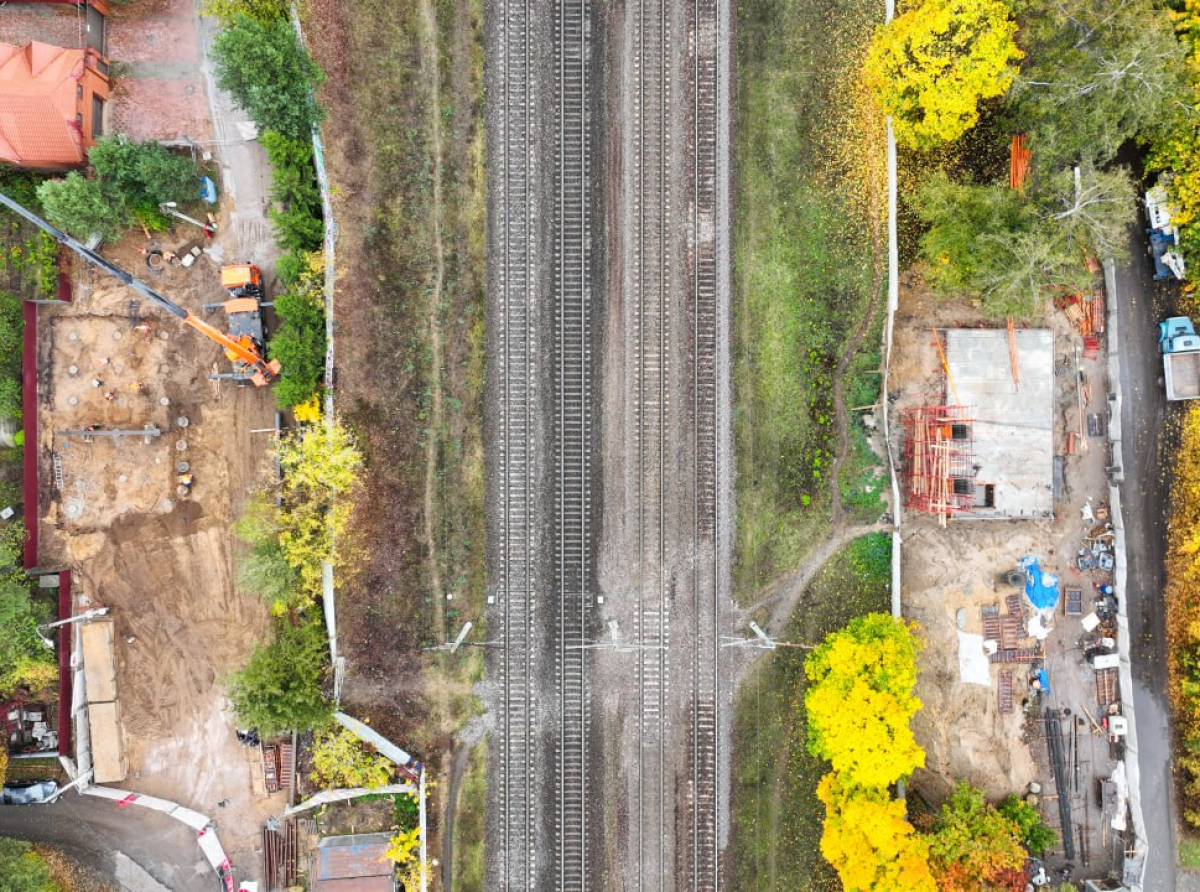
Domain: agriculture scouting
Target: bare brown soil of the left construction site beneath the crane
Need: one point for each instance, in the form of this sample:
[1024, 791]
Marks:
[163, 562]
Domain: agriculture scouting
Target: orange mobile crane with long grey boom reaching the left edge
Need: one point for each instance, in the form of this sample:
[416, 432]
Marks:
[243, 345]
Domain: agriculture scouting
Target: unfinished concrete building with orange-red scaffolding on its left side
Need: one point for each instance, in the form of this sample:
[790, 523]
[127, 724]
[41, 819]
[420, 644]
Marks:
[988, 451]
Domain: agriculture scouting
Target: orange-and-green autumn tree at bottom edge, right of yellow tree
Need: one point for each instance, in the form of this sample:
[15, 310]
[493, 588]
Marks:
[975, 848]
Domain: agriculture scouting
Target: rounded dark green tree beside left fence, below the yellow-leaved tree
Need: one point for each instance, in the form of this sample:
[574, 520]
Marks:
[281, 687]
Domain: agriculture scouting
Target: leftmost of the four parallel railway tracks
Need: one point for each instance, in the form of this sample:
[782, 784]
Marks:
[517, 584]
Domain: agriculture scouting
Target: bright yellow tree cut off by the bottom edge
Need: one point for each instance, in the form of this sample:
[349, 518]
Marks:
[871, 843]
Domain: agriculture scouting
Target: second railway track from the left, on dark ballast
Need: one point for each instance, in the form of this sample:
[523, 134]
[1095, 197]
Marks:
[573, 439]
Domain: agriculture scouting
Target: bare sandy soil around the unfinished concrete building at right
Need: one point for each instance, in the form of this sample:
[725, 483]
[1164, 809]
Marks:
[961, 726]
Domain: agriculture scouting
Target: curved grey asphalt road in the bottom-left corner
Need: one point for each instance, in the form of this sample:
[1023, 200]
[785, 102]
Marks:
[93, 831]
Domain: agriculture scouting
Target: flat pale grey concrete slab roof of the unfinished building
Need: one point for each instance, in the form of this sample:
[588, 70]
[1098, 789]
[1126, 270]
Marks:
[1013, 430]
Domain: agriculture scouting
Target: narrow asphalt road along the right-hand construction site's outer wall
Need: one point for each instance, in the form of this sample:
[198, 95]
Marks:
[1149, 428]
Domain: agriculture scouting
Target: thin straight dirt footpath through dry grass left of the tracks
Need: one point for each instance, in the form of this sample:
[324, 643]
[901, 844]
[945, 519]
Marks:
[434, 430]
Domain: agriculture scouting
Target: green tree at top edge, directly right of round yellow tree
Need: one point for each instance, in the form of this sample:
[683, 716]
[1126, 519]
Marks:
[1096, 74]
